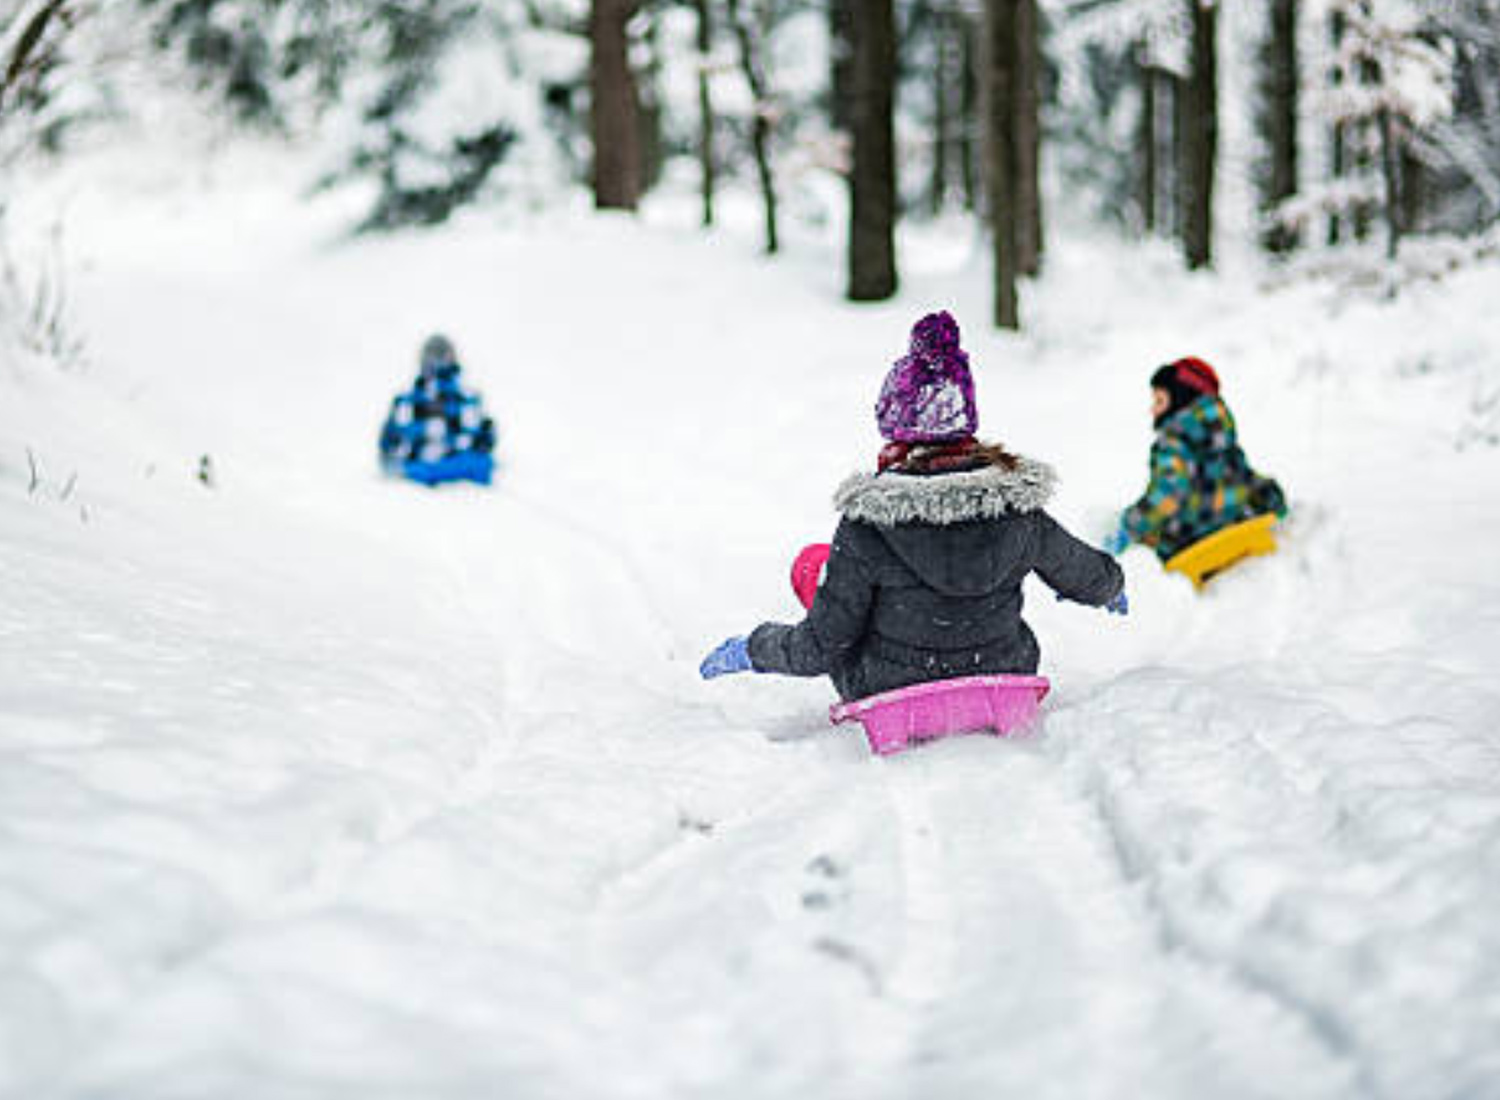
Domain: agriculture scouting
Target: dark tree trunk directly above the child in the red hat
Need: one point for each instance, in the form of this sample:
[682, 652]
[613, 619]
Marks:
[1201, 139]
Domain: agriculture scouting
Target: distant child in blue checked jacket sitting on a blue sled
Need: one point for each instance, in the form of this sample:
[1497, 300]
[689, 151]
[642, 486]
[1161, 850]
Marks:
[437, 431]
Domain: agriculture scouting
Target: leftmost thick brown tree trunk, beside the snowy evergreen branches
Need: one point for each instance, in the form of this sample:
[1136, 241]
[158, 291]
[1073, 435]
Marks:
[616, 110]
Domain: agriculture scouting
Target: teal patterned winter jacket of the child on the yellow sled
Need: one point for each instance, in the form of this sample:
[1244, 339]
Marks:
[1201, 482]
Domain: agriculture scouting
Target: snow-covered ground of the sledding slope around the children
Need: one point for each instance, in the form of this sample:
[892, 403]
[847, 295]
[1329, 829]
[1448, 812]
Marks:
[316, 786]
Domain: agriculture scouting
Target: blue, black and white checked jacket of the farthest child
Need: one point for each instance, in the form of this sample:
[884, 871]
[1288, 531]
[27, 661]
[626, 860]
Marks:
[434, 421]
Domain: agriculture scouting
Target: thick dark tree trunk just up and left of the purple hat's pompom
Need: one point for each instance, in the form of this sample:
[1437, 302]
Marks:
[872, 182]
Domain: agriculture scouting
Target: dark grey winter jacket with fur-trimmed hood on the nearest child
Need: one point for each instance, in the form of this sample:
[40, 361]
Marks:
[925, 582]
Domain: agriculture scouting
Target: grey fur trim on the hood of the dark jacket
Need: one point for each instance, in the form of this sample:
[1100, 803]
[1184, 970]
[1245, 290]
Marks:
[893, 499]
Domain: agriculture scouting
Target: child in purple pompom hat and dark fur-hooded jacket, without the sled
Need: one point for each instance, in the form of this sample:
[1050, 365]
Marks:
[925, 574]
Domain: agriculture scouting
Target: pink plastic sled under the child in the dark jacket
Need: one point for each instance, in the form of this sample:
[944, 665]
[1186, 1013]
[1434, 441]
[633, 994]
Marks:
[928, 712]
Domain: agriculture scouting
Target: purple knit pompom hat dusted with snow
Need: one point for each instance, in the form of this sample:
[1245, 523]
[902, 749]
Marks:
[929, 394]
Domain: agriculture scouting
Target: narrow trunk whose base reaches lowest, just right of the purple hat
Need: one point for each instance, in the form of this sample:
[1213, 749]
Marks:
[1001, 19]
